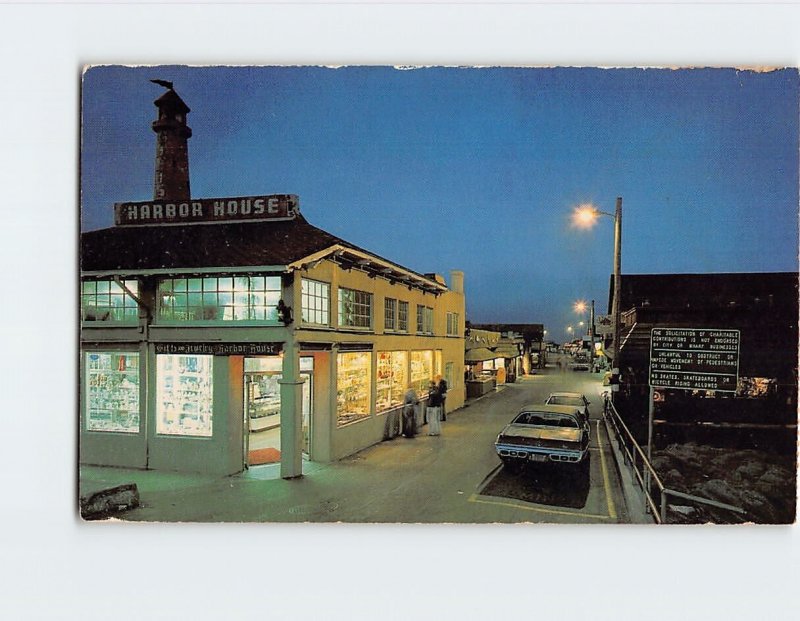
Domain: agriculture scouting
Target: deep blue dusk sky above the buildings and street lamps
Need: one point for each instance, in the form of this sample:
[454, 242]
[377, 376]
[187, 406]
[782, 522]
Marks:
[479, 169]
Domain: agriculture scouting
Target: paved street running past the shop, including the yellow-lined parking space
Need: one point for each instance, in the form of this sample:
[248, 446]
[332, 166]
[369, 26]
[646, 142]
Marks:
[452, 478]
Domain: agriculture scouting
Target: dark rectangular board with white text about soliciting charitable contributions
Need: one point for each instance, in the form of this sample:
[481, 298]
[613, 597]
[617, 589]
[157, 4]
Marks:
[694, 359]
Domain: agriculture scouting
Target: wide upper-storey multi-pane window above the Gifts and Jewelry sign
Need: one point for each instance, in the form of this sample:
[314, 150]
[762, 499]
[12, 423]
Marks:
[224, 298]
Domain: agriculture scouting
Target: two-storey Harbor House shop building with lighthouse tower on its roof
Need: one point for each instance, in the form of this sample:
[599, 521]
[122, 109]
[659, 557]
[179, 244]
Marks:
[222, 333]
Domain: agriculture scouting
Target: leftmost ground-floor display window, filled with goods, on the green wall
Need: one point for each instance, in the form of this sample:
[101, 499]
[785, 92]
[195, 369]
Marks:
[112, 391]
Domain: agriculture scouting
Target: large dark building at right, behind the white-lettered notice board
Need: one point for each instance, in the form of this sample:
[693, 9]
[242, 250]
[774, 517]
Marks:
[762, 411]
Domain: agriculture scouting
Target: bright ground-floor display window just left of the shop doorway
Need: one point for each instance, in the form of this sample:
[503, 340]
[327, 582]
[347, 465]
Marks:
[184, 395]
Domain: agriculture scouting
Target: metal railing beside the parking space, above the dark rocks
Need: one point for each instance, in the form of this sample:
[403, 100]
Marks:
[656, 495]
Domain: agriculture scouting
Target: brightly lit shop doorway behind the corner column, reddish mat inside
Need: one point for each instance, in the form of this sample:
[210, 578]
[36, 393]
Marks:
[262, 407]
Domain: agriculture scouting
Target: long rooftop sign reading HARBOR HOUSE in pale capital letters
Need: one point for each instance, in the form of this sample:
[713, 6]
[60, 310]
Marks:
[270, 207]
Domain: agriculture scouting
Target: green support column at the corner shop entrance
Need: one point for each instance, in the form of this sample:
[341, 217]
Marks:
[291, 413]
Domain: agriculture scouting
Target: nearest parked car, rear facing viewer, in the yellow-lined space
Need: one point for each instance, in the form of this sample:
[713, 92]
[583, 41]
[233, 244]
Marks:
[545, 434]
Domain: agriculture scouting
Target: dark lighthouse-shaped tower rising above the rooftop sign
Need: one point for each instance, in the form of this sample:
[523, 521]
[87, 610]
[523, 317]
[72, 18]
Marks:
[172, 148]
